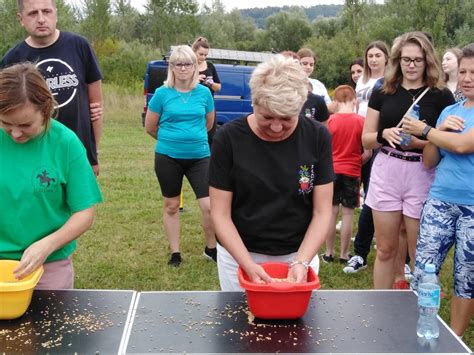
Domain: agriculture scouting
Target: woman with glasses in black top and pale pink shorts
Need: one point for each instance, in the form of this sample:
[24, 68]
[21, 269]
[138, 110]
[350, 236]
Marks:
[399, 182]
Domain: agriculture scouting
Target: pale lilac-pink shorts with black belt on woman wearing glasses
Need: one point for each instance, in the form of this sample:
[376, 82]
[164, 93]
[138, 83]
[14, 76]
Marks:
[398, 185]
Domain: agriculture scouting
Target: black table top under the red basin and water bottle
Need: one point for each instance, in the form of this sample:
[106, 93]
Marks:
[336, 321]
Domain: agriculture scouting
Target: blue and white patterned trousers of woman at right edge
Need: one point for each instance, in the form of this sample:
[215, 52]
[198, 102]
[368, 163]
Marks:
[443, 225]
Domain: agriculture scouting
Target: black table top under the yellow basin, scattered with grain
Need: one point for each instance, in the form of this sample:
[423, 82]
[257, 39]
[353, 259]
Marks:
[69, 321]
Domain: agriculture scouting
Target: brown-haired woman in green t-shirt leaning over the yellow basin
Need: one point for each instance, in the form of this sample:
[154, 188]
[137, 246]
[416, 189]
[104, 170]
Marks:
[47, 187]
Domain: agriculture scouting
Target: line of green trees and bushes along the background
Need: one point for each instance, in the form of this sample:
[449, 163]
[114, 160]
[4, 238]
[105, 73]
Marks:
[126, 39]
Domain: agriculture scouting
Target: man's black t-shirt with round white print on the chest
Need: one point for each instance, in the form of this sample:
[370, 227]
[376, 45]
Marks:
[68, 66]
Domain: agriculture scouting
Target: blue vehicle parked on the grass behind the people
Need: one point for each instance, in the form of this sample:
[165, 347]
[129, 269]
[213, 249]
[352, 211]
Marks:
[233, 100]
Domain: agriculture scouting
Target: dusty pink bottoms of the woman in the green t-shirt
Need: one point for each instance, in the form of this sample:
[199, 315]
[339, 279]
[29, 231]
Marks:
[57, 275]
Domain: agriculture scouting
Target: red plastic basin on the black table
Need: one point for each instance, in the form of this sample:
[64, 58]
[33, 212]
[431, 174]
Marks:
[278, 300]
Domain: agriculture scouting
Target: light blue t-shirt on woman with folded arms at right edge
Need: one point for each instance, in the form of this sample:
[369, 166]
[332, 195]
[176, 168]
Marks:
[455, 172]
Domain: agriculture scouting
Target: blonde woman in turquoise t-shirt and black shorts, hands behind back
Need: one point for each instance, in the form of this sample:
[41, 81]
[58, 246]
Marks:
[179, 116]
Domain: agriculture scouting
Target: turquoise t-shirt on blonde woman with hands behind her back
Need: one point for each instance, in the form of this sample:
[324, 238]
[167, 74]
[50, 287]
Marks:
[182, 133]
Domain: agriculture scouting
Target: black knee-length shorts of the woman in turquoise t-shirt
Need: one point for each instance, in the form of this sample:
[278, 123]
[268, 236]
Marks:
[170, 172]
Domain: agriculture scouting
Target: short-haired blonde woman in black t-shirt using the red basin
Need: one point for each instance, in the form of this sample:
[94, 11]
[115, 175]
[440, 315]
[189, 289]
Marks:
[271, 180]
